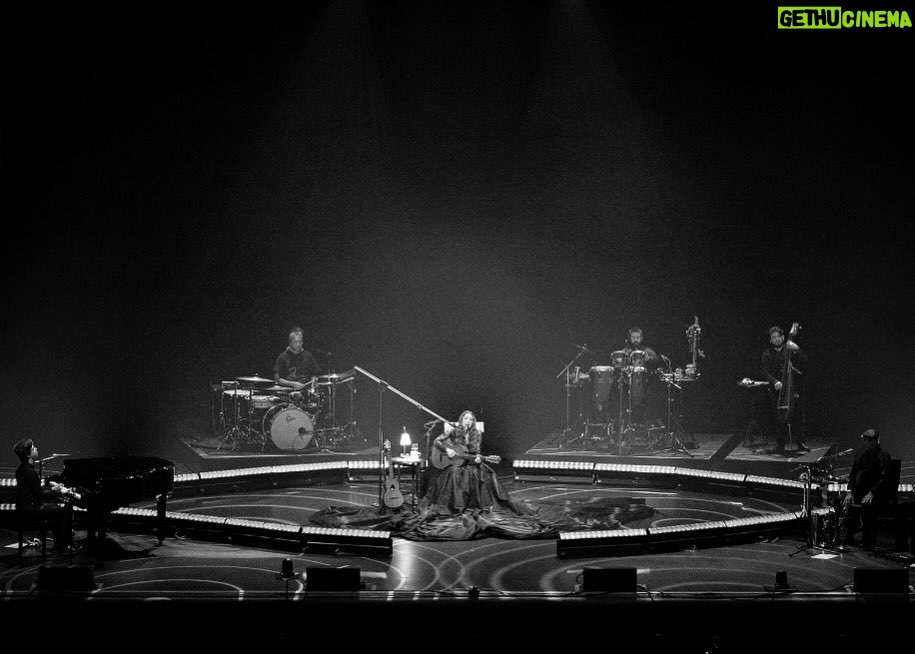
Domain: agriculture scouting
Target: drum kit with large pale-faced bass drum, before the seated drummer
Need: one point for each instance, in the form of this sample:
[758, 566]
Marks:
[253, 413]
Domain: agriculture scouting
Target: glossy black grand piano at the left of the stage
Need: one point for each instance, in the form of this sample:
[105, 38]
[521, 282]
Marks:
[109, 483]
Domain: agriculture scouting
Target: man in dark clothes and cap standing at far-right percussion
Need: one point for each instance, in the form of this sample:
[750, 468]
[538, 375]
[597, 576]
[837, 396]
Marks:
[867, 488]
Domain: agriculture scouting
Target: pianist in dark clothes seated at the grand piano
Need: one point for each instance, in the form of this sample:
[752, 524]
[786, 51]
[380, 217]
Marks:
[34, 501]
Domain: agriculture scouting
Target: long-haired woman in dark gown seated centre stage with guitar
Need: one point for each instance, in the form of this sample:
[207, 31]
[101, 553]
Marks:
[466, 482]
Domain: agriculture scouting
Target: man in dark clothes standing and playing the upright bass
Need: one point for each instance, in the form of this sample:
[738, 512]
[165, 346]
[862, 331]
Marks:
[774, 369]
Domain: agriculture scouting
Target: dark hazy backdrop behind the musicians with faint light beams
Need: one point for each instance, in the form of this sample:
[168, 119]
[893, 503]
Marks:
[448, 195]
